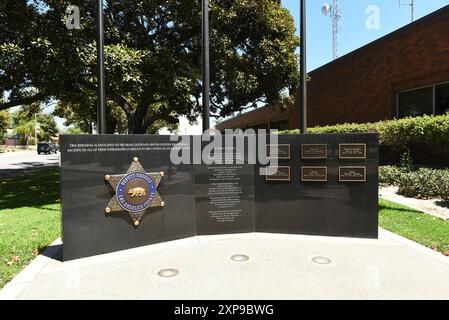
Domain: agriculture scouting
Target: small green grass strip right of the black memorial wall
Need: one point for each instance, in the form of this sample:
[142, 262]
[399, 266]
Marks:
[427, 230]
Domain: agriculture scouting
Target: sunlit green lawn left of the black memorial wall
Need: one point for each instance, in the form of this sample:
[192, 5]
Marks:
[30, 219]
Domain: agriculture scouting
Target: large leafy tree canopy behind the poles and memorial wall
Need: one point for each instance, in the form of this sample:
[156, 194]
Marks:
[152, 57]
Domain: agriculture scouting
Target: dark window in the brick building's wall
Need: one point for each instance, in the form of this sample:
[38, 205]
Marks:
[432, 100]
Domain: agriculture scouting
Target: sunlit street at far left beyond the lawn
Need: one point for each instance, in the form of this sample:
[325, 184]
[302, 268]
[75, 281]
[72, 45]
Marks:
[17, 163]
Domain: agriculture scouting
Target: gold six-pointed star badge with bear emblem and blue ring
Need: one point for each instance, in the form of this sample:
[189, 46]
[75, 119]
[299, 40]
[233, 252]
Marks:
[135, 191]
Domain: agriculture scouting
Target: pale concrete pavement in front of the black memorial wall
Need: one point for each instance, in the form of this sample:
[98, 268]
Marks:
[279, 267]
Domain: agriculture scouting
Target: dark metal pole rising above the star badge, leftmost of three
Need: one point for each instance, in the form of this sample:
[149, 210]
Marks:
[101, 109]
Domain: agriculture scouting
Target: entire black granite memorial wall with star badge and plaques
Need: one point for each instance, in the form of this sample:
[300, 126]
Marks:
[324, 185]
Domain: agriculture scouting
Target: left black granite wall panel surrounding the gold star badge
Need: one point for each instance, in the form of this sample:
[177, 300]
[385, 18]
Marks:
[87, 228]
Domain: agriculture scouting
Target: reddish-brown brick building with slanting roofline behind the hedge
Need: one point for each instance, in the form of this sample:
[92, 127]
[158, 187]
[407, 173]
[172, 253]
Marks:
[405, 73]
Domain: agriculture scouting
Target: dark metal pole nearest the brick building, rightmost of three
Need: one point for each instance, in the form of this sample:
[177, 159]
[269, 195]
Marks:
[303, 70]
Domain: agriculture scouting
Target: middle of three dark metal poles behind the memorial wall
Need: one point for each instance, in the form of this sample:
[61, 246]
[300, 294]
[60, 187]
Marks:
[206, 66]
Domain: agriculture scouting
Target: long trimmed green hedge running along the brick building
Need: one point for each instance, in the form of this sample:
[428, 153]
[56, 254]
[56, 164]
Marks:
[430, 130]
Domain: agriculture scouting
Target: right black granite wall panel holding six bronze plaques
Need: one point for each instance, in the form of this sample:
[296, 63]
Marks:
[316, 201]
